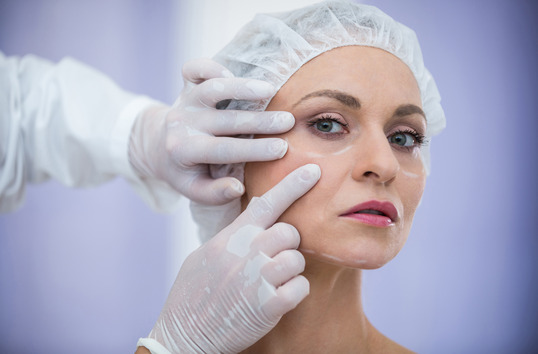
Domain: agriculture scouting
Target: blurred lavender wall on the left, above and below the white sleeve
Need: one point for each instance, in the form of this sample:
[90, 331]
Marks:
[83, 271]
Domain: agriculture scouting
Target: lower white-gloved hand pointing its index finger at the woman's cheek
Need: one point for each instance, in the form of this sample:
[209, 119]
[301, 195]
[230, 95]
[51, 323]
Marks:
[234, 289]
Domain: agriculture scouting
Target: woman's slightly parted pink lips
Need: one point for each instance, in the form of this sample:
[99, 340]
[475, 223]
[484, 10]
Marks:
[373, 212]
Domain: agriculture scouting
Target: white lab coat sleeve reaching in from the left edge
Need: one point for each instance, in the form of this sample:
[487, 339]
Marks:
[67, 122]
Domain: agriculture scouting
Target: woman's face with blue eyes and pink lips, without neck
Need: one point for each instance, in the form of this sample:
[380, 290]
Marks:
[358, 116]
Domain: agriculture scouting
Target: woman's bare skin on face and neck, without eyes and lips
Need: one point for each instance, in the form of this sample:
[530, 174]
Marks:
[361, 160]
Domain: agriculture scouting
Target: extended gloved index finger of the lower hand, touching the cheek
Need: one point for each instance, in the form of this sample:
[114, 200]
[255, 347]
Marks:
[265, 210]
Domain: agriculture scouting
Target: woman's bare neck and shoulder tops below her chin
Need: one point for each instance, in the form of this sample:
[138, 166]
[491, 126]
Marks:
[329, 320]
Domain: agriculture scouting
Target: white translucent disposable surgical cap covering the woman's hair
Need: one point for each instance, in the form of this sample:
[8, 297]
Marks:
[272, 47]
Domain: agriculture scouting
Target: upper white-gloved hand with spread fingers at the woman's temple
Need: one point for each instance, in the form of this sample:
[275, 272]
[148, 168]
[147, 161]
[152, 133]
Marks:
[176, 144]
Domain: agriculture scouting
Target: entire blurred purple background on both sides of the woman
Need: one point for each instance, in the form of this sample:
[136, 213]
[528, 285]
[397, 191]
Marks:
[84, 270]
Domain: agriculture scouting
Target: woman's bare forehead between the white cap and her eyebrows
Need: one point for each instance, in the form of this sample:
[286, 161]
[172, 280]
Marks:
[367, 72]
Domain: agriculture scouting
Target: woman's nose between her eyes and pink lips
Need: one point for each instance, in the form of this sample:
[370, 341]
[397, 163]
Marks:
[374, 159]
